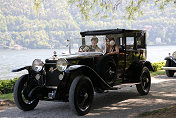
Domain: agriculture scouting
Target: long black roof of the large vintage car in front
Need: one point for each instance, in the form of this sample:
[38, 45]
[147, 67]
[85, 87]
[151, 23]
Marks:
[108, 31]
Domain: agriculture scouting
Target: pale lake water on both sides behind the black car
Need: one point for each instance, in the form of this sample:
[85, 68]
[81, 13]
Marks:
[11, 59]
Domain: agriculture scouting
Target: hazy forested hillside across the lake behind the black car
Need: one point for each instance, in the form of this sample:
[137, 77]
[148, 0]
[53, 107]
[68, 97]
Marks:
[55, 21]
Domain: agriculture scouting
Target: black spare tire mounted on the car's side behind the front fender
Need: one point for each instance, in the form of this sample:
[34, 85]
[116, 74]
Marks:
[106, 68]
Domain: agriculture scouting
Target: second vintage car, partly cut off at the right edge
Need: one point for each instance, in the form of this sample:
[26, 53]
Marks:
[170, 66]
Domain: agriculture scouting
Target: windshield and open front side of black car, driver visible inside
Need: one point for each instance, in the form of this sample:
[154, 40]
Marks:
[96, 43]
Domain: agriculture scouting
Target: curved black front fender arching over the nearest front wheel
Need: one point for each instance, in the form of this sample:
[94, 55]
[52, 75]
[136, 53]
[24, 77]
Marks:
[74, 71]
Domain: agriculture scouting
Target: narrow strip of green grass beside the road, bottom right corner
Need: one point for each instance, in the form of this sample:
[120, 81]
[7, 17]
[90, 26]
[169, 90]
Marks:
[154, 112]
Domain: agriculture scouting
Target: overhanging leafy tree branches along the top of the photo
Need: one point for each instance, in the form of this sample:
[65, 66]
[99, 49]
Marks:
[105, 8]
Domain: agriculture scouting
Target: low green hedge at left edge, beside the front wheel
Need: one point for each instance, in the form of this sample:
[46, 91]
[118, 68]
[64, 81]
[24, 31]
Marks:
[6, 86]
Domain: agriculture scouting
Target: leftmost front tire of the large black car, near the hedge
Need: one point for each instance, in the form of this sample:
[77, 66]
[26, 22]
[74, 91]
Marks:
[20, 101]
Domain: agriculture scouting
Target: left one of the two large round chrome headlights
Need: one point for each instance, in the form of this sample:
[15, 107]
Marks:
[37, 65]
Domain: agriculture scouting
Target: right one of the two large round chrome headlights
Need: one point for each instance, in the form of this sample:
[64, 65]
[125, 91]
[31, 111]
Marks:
[61, 64]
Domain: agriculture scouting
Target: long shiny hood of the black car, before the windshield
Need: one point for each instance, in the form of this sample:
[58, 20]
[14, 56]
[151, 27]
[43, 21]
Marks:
[77, 55]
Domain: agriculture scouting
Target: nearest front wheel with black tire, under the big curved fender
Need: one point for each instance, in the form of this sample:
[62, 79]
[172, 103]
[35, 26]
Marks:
[81, 95]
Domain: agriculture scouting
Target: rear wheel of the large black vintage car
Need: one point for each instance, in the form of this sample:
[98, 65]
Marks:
[145, 82]
